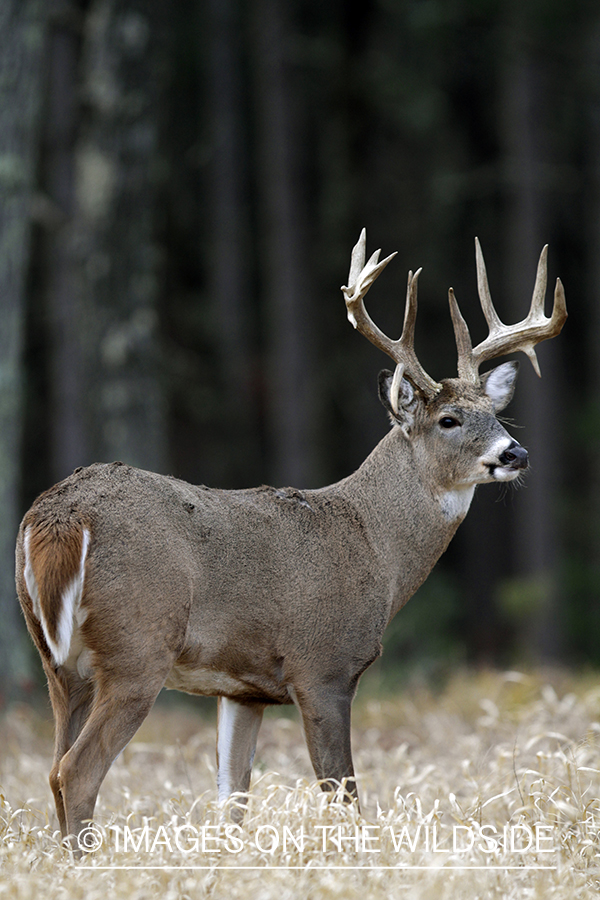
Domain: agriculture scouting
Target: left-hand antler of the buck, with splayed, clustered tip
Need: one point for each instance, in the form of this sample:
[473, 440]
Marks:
[402, 351]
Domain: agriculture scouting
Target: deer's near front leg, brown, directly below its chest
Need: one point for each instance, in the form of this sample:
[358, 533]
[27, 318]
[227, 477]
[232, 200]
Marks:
[326, 720]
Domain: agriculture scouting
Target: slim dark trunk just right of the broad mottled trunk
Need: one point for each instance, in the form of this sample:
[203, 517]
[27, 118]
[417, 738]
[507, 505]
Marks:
[230, 285]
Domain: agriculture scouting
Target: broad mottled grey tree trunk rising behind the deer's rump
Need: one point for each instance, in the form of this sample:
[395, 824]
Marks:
[108, 353]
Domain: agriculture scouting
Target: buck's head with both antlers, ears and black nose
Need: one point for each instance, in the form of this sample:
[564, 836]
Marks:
[439, 411]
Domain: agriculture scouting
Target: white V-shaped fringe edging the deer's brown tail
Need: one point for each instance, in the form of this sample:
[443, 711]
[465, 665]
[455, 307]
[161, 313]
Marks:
[70, 603]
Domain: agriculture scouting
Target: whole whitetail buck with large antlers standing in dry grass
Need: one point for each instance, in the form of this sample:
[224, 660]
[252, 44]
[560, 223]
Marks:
[132, 581]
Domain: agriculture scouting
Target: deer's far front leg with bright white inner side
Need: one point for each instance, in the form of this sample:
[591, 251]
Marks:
[237, 730]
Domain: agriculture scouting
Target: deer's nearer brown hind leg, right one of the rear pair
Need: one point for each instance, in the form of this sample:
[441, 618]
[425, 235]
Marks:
[117, 711]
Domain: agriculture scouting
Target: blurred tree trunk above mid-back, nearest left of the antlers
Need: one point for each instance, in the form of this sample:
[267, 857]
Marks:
[286, 272]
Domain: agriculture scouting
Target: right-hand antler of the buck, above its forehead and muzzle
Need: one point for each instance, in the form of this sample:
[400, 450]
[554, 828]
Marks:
[503, 339]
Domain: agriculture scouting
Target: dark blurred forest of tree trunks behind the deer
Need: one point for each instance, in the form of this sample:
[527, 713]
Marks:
[182, 184]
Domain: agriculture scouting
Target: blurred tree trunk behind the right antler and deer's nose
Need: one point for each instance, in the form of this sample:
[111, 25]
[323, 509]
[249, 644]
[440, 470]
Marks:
[536, 546]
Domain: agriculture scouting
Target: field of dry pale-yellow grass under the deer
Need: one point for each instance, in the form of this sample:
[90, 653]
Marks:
[489, 788]
